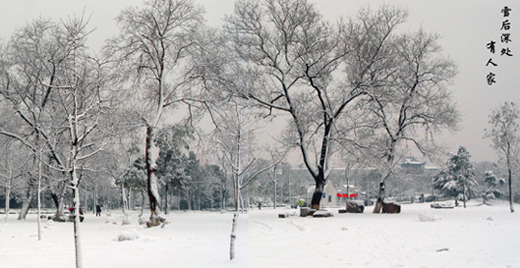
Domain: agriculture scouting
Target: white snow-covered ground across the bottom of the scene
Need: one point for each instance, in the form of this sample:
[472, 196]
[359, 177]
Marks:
[478, 236]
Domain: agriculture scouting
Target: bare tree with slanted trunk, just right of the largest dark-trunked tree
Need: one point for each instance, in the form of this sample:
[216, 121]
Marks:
[409, 97]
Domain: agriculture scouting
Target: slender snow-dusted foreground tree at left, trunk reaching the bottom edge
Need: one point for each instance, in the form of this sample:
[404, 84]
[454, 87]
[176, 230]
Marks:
[84, 101]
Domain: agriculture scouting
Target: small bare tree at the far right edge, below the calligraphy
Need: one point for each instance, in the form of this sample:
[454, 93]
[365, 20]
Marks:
[504, 135]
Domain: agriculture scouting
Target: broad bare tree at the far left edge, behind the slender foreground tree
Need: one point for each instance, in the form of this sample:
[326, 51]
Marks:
[32, 59]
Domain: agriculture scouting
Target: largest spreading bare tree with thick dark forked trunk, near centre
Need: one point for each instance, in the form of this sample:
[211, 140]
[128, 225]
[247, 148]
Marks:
[296, 52]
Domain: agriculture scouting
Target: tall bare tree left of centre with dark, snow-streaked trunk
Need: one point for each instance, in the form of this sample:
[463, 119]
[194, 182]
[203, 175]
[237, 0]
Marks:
[149, 50]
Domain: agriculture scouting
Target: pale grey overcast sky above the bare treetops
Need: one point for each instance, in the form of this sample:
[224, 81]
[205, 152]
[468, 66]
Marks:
[465, 26]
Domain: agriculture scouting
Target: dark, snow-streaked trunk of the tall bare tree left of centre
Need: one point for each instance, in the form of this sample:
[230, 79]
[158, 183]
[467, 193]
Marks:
[151, 155]
